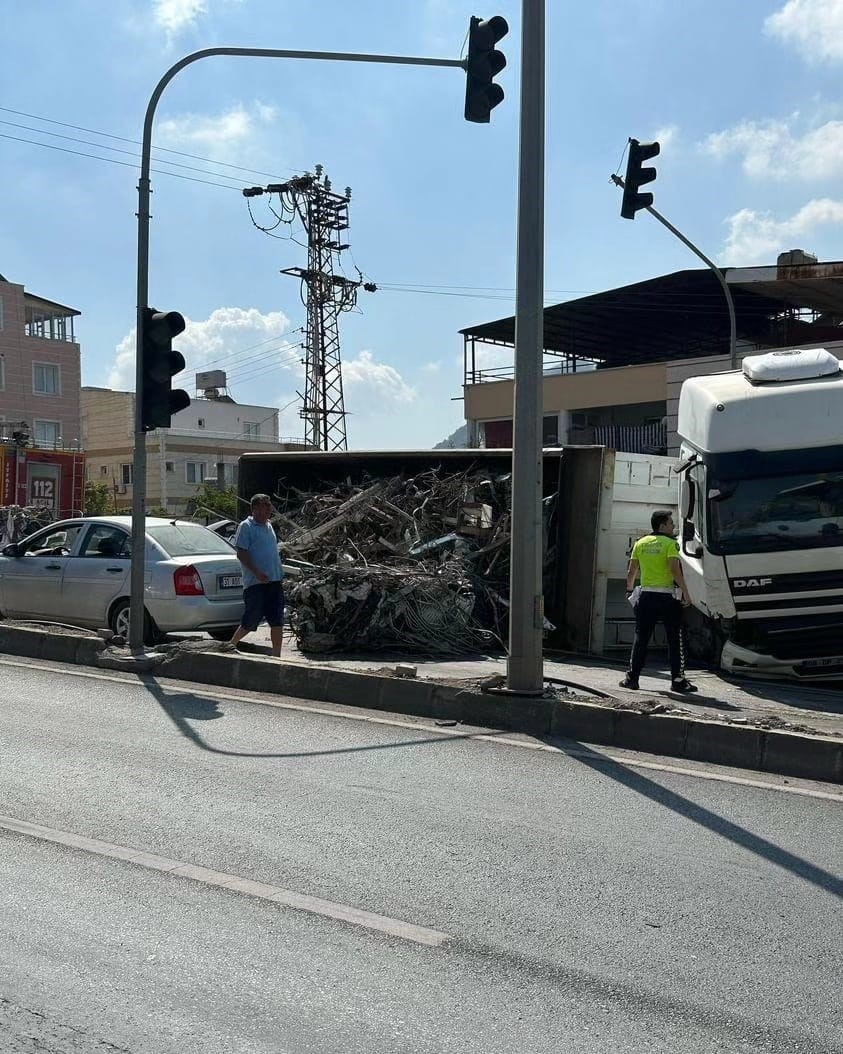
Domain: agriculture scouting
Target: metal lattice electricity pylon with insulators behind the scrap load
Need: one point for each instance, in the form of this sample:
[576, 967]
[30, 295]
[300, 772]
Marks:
[325, 217]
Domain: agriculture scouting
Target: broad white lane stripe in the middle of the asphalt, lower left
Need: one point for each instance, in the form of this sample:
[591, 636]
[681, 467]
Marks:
[289, 899]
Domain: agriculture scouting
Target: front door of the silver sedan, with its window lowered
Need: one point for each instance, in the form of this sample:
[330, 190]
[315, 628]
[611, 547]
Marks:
[31, 582]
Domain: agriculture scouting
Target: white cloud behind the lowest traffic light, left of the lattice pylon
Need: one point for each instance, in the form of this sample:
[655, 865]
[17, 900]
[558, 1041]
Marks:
[226, 341]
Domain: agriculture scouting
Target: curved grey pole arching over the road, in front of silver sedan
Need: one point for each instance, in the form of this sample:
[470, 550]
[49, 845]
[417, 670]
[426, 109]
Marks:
[145, 191]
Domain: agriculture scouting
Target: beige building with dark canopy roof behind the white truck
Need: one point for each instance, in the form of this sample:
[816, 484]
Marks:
[615, 362]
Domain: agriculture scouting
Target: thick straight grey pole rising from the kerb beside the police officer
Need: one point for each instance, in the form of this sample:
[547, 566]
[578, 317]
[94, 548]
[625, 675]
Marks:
[525, 674]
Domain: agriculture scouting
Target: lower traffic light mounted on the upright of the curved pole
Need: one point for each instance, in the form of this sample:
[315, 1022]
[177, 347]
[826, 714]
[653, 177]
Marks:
[159, 400]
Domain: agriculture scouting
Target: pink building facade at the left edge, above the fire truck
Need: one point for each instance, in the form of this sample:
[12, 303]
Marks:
[41, 369]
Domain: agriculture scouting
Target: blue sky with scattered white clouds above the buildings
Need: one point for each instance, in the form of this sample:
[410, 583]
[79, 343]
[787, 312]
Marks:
[744, 97]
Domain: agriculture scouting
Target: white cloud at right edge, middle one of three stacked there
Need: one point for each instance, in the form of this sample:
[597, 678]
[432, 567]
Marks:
[772, 150]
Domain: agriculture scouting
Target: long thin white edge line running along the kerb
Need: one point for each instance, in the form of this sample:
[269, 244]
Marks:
[593, 755]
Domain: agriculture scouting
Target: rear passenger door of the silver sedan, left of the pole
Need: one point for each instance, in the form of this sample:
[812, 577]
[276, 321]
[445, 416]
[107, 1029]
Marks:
[97, 574]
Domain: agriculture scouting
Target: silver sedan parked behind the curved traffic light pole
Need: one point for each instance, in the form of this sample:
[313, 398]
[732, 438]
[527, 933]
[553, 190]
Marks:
[77, 572]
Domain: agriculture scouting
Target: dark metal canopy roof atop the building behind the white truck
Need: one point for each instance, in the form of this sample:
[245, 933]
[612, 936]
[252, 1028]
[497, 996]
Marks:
[684, 316]
